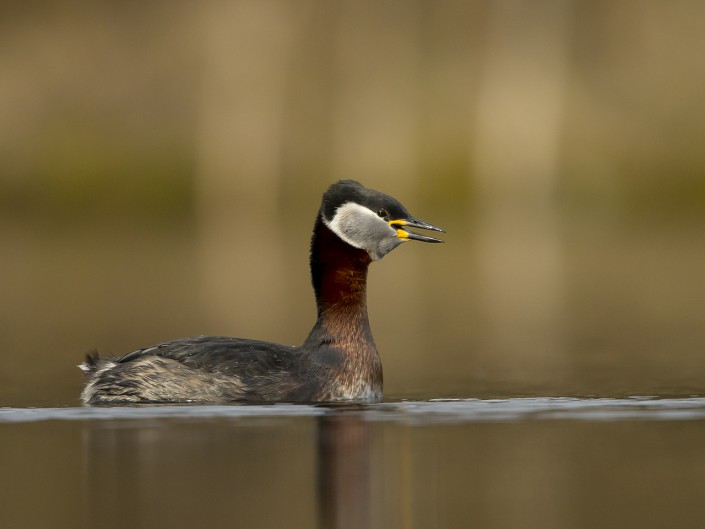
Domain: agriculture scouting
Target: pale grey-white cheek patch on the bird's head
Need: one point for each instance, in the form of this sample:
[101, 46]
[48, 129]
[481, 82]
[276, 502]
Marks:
[359, 227]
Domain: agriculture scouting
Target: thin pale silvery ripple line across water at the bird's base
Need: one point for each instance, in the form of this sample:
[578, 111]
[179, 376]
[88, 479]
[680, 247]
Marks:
[435, 411]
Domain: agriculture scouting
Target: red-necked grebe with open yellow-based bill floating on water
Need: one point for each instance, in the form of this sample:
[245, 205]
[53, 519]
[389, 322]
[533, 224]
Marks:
[337, 362]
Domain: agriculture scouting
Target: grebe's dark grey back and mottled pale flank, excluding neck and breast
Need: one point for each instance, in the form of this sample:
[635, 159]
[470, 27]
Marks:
[202, 369]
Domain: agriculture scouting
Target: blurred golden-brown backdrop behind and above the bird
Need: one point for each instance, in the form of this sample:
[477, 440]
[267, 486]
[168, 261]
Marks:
[163, 162]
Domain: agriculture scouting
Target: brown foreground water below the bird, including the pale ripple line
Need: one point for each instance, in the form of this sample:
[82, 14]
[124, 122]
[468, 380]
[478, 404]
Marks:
[489, 463]
